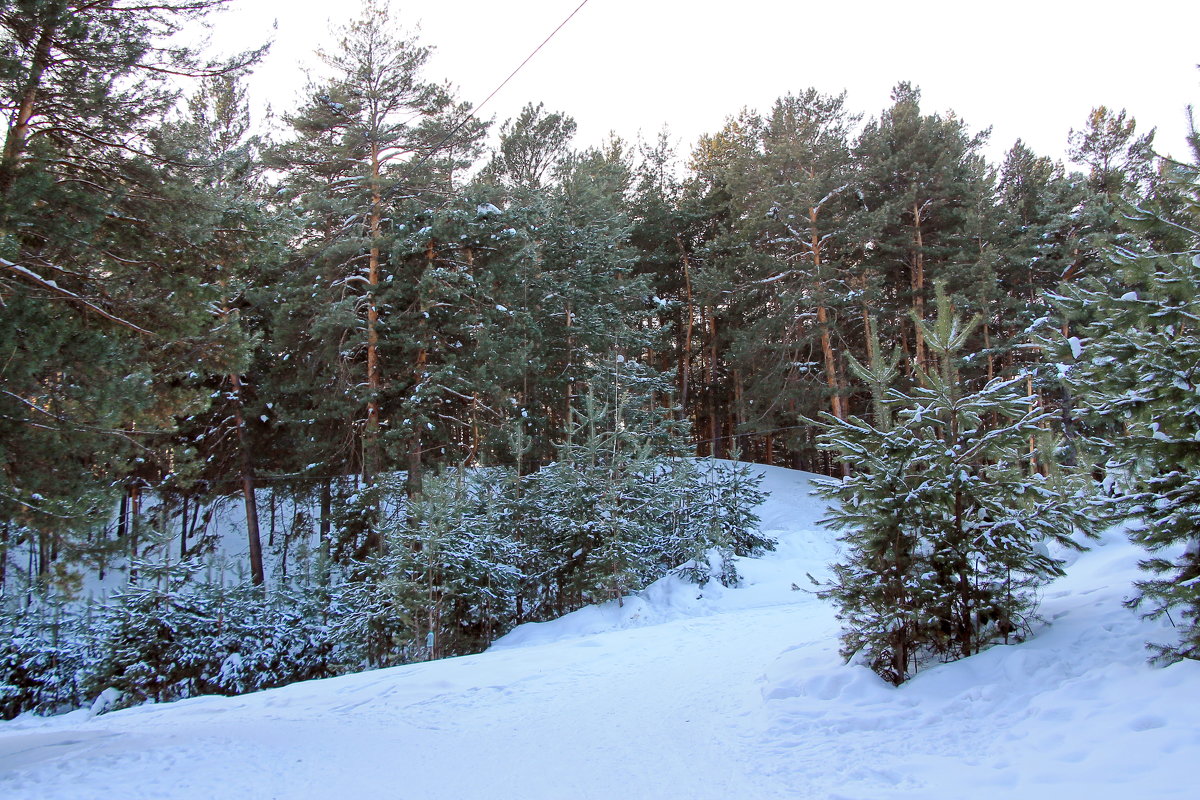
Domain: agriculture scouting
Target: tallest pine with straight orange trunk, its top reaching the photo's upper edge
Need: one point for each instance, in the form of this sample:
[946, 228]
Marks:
[374, 143]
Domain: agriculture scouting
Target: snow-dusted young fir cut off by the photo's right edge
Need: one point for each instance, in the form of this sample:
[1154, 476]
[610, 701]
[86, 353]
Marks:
[1131, 366]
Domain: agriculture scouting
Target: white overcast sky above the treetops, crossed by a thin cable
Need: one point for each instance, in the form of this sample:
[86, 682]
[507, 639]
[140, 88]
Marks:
[1029, 69]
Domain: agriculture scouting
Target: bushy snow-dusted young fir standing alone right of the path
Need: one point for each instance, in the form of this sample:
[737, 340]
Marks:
[945, 521]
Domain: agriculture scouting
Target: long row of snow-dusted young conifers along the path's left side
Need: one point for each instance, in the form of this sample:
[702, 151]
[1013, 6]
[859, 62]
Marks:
[398, 580]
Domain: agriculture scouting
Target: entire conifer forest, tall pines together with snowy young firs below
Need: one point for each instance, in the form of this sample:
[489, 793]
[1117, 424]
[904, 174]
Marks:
[379, 381]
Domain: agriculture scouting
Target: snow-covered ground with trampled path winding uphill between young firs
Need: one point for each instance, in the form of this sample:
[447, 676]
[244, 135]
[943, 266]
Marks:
[683, 693]
